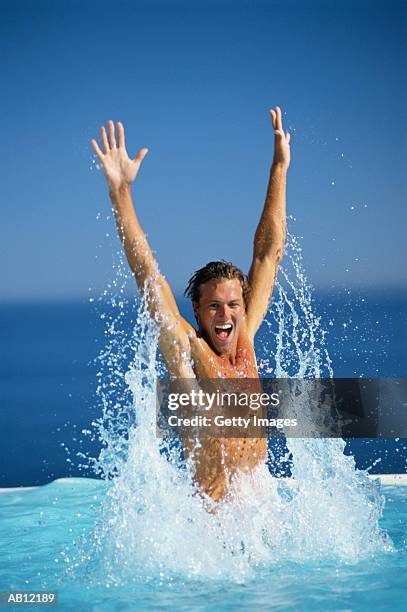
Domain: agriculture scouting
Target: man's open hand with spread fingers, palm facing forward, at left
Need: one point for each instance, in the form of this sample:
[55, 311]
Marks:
[119, 169]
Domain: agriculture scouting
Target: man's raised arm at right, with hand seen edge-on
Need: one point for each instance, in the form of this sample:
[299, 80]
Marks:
[270, 235]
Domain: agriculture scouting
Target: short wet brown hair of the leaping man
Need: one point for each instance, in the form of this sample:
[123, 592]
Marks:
[216, 270]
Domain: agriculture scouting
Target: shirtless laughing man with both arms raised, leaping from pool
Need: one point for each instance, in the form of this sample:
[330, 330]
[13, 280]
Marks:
[228, 306]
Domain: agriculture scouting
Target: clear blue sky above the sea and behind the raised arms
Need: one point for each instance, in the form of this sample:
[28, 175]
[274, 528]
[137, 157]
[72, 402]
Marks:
[193, 82]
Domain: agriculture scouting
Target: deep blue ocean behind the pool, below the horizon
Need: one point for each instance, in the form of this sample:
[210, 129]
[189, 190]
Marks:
[49, 377]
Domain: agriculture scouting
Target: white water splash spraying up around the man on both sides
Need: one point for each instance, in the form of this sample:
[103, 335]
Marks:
[154, 527]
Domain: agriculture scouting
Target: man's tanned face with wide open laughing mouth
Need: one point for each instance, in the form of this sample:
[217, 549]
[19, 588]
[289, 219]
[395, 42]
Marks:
[220, 312]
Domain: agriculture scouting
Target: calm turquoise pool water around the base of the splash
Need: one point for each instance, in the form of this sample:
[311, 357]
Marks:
[46, 532]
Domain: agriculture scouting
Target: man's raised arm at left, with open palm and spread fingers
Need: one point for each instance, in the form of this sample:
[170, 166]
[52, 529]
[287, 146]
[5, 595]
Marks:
[120, 172]
